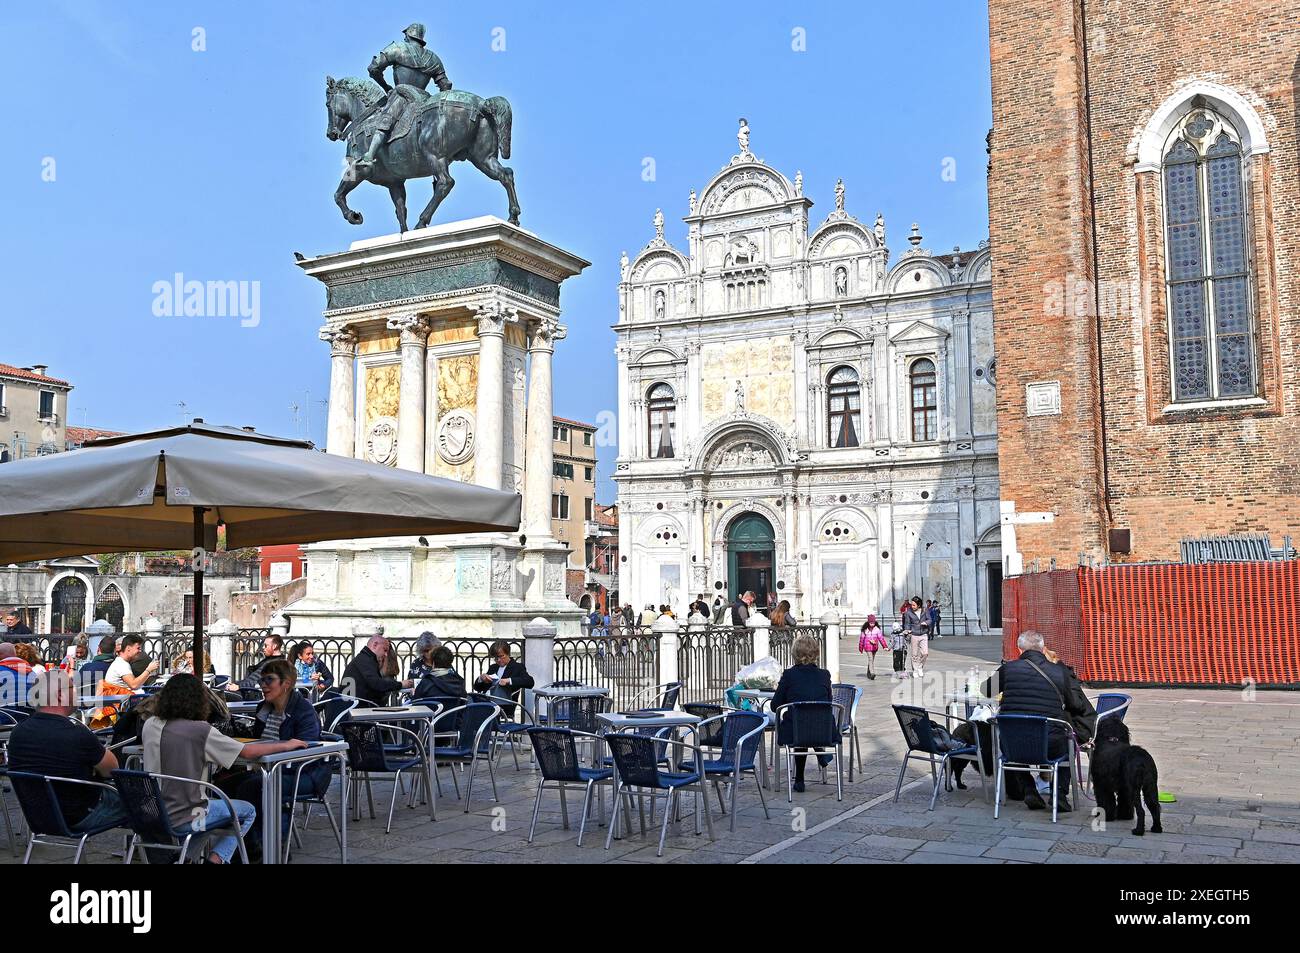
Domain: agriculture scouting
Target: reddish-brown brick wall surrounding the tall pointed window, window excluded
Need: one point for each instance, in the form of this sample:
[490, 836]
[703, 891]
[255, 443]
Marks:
[1171, 474]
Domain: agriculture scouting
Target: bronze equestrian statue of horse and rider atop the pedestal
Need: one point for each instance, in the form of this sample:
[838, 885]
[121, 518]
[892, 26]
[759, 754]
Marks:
[404, 132]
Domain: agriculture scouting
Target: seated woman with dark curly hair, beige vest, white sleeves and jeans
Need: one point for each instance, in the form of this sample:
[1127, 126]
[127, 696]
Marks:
[180, 742]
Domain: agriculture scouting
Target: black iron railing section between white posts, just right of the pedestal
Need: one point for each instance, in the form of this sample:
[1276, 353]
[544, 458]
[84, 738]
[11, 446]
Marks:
[625, 660]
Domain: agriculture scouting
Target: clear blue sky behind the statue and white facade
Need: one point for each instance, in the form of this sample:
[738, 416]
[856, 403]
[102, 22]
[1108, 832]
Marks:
[214, 164]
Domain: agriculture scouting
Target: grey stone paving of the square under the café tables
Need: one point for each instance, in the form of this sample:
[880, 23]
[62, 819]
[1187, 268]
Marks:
[1229, 761]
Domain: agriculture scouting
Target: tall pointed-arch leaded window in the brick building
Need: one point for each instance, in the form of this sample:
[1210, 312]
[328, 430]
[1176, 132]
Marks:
[1207, 254]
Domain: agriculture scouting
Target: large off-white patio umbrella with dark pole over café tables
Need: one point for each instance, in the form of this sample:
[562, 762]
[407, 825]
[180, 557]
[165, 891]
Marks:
[171, 490]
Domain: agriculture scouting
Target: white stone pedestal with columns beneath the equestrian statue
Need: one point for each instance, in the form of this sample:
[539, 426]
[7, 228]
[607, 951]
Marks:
[453, 328]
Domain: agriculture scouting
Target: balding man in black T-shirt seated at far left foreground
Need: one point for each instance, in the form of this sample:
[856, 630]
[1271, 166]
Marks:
[51, 744]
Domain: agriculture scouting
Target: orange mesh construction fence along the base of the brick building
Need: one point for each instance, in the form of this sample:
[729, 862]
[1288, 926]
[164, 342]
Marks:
[1171, 625]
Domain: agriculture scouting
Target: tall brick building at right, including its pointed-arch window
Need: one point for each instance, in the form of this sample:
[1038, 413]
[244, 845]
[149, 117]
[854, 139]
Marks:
[1145, 210]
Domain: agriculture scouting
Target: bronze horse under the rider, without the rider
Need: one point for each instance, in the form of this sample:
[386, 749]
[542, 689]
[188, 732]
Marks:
[470, 128]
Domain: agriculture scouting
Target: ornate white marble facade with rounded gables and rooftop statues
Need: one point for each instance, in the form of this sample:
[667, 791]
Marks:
[800, 415]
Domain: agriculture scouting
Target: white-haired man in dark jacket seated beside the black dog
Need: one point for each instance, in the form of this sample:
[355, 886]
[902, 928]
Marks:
[1034, 686]
